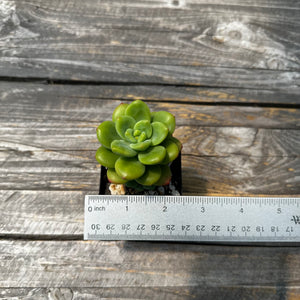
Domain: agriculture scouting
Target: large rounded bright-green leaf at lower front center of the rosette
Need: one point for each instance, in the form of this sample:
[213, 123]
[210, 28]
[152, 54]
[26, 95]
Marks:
[129, 168]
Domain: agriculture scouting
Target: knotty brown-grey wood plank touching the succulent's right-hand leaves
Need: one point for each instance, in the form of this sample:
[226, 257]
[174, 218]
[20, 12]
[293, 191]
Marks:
[224, 141]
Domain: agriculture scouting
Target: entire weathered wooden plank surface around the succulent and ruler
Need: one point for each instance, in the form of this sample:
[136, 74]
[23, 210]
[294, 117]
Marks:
[228, 71]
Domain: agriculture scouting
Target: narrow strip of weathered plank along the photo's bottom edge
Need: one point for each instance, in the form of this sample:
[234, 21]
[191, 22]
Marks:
[167, 293]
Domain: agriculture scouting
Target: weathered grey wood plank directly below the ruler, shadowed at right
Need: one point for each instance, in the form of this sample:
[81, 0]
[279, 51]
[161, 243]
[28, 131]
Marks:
[152, 265]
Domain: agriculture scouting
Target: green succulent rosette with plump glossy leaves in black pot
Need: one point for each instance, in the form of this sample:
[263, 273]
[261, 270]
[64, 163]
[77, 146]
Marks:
[137, 145]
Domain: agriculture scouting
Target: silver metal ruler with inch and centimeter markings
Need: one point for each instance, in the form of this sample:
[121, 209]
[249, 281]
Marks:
[192, 218]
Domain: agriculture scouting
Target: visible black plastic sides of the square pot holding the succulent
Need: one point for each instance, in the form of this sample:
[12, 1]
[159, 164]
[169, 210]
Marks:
[176, 179]
